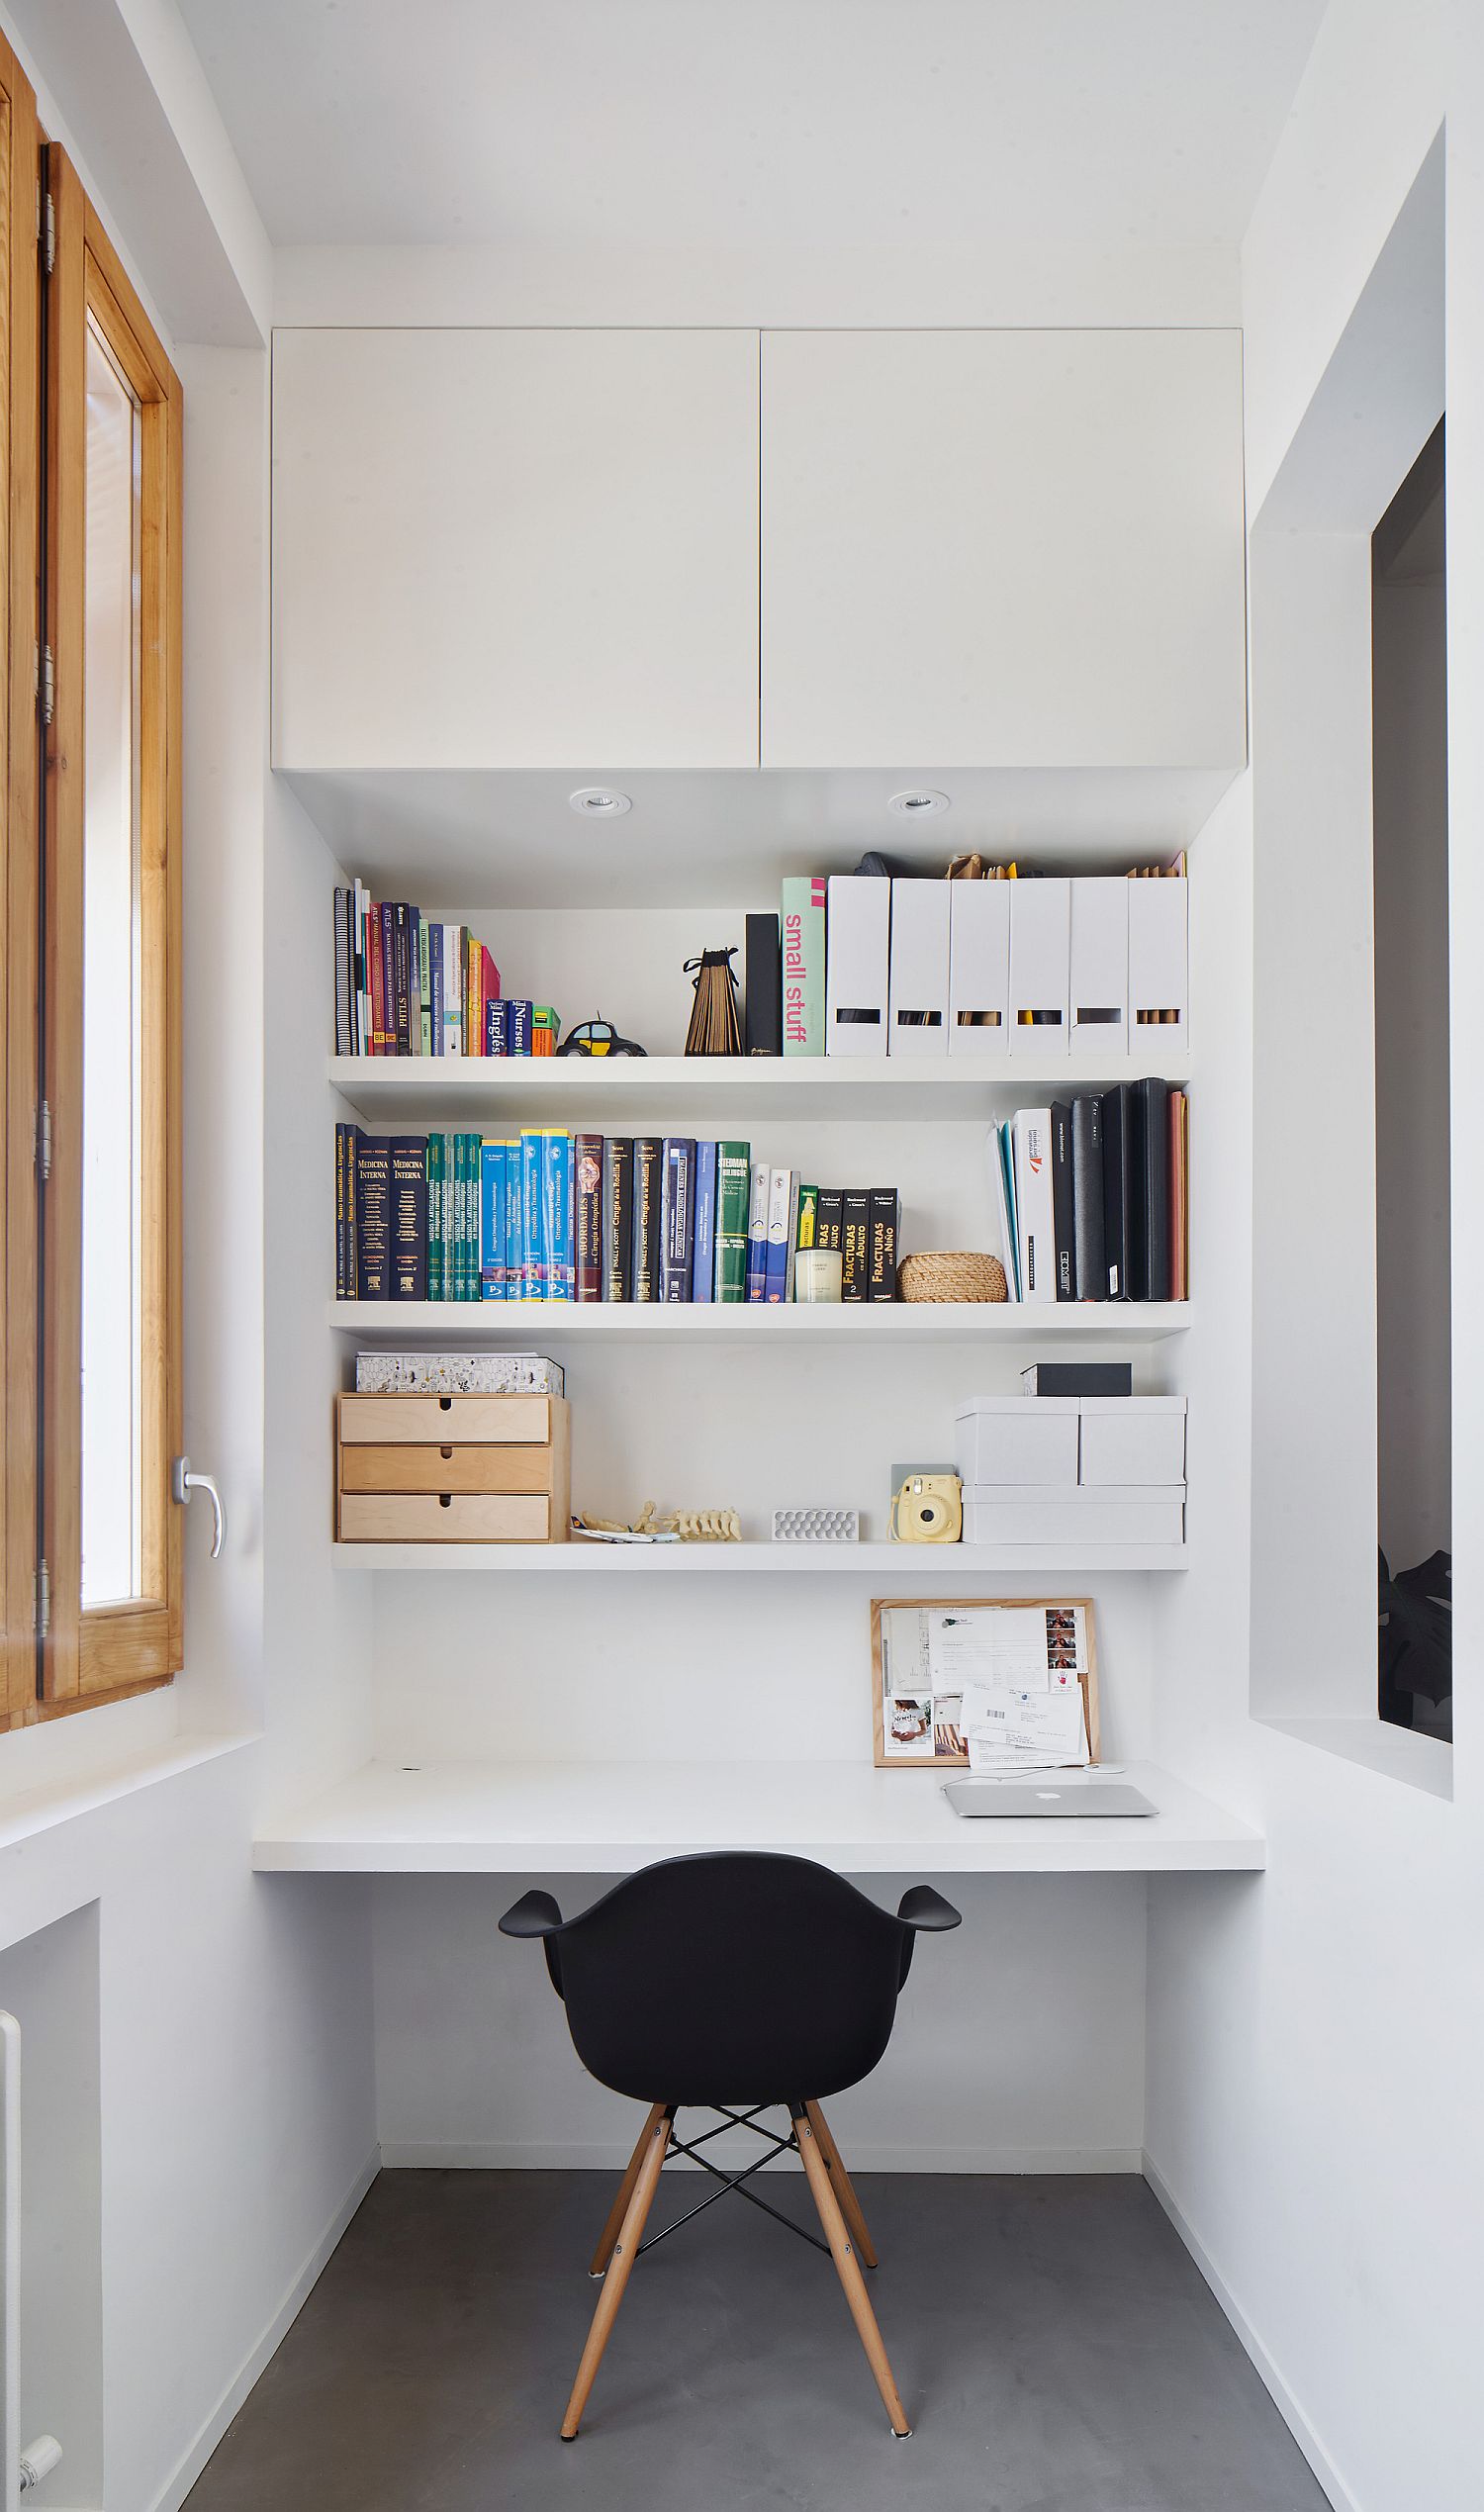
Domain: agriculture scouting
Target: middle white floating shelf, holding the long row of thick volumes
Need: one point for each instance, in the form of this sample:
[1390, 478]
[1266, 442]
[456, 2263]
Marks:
[436, 1323]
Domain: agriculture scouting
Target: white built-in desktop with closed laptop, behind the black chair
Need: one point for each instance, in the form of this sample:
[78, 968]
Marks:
[606, 1817]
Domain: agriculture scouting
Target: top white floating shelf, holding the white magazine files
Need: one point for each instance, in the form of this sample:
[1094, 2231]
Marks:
[727, 1089]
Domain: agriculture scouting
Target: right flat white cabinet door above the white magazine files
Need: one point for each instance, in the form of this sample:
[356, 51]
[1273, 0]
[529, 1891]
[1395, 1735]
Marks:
[1003, 549]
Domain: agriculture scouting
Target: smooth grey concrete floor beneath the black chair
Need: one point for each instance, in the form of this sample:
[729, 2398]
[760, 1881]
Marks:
[1053, 2342]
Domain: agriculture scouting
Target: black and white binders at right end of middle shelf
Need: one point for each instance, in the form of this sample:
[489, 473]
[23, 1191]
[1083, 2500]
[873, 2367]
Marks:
[1094, 1197]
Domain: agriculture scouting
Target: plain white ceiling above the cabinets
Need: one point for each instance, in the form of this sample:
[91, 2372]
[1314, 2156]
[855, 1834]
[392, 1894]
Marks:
[755, 124]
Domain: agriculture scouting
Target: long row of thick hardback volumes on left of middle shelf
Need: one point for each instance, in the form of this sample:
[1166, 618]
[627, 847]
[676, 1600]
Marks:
[586, 1217]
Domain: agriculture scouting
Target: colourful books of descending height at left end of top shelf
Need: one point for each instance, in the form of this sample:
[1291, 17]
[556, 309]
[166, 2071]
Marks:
[411, 986]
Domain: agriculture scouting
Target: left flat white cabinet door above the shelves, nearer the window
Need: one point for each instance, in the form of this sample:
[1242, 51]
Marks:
[516, 549]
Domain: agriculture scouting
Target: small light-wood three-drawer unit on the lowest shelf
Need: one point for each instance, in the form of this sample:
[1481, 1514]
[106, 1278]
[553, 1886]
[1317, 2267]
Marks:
[453, 1471]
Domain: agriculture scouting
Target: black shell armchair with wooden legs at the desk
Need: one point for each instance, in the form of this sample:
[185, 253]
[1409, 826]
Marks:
[737, 1986]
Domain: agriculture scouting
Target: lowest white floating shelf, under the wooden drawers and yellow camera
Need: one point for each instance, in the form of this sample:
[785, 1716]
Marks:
[913, 1564]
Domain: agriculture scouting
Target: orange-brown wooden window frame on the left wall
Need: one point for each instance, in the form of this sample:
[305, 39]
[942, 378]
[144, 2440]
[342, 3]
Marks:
[59, 1657]
